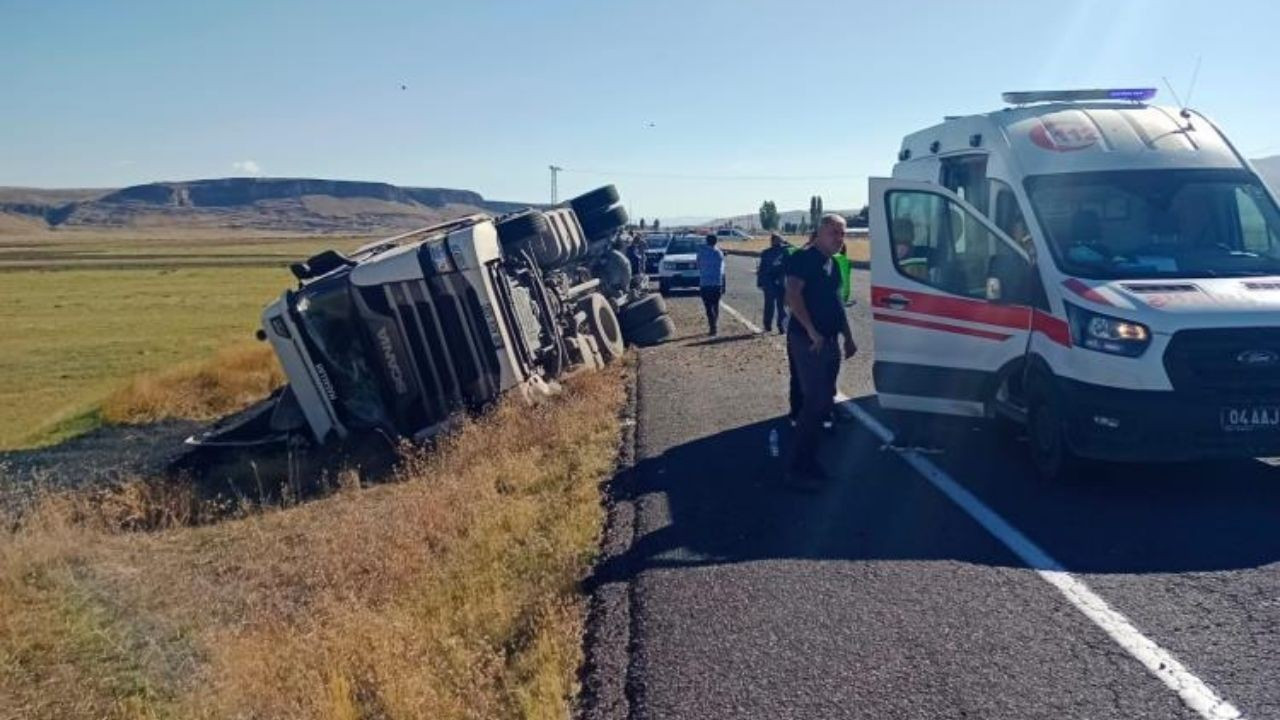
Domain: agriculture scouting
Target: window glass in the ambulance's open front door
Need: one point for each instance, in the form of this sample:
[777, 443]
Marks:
[940, 244]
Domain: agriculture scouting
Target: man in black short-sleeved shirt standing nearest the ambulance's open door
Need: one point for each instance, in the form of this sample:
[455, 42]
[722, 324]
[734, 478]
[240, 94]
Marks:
[817, 320]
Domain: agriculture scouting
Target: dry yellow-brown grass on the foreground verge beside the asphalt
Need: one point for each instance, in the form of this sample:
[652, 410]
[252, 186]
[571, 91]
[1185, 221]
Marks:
[450, 594]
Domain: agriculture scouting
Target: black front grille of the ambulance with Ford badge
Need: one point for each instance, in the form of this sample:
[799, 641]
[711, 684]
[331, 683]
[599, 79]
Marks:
[1214, 361]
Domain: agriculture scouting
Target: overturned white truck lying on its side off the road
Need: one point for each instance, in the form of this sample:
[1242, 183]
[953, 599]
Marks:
[408, 332]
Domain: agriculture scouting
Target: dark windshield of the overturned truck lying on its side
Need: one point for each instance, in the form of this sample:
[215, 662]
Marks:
[328, 318]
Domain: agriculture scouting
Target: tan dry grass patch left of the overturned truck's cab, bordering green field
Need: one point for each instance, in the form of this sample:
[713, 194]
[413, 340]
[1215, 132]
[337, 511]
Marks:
[235, 379]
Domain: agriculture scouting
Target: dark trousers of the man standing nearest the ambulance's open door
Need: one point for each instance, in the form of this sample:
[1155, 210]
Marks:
[817, 373]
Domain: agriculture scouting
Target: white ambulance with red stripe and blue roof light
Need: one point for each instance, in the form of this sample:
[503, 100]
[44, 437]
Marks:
[1105, 271]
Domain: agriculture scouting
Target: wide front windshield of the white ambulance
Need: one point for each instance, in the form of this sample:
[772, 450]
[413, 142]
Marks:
[1159, 224]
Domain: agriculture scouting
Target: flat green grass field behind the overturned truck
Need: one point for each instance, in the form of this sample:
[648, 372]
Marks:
[84, 313]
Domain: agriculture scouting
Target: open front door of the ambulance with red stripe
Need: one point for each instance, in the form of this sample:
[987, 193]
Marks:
[950, 300]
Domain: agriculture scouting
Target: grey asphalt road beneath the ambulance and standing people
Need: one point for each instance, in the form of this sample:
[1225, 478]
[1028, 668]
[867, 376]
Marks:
[883, 598]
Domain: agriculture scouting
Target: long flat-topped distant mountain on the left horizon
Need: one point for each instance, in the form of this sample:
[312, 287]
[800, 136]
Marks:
[278, 204]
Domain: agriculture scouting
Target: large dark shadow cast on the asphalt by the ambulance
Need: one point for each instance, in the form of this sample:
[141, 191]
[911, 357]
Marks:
[726, 507]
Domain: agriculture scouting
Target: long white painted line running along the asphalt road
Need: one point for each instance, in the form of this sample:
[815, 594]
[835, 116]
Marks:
[1159, 662]
